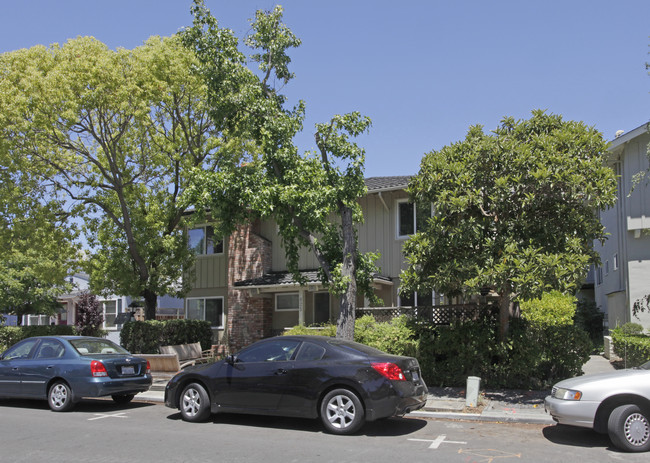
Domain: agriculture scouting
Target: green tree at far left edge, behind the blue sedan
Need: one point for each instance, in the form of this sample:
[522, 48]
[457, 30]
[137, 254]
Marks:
[37, 239]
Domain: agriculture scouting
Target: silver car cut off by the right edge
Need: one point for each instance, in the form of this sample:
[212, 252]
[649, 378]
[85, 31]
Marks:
[616, 403]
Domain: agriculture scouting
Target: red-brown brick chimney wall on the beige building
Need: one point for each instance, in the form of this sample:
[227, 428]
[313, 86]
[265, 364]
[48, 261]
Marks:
[249, 318]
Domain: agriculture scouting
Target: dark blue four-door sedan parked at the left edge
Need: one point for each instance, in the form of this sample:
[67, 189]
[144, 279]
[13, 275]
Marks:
[65, 369]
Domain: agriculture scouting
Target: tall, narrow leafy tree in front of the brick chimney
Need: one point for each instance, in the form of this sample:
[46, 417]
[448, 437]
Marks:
[313, 197]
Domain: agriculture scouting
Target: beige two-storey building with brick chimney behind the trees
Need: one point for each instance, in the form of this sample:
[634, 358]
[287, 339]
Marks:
[242, 283]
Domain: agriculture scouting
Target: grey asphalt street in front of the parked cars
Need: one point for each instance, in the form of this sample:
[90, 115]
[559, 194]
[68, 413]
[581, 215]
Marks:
[101, 431]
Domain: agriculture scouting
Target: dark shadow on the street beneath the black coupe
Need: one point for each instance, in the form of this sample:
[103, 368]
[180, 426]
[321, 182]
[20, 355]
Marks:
[386, 427]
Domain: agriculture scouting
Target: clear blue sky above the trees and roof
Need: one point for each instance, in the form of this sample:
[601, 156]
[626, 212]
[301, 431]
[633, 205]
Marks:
[423, 71]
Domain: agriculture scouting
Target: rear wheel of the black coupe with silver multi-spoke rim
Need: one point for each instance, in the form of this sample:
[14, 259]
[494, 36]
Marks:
[342, 412]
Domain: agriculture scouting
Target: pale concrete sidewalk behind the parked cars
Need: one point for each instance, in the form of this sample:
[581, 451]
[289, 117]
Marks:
[449, 403]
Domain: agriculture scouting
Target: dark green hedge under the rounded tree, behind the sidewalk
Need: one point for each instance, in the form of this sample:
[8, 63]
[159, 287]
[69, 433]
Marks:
[534, 356]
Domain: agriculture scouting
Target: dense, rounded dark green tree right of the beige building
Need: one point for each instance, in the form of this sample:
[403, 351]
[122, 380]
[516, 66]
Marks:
[515, 211]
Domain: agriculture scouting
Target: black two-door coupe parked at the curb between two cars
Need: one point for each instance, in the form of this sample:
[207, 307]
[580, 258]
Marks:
[342, 382]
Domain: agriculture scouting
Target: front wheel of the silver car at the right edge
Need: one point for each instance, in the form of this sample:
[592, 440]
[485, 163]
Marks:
[629, 428]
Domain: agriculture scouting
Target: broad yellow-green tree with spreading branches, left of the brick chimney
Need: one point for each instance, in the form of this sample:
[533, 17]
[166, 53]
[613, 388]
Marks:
[118, 132]
